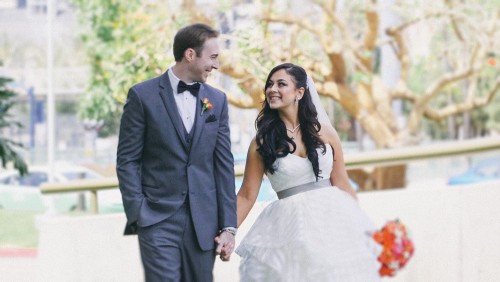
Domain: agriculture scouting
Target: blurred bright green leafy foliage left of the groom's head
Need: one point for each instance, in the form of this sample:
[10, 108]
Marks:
[125, 42]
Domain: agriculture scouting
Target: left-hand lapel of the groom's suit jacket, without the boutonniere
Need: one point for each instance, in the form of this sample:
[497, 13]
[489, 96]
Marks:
[167, 96]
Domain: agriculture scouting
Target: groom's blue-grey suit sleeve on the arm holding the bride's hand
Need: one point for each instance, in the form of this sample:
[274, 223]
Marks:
[224, 172]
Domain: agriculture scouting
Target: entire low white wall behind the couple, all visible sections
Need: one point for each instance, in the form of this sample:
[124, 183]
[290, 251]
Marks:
[456, 231]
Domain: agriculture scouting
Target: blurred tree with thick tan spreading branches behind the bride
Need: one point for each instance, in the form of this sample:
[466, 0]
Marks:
[340, 46]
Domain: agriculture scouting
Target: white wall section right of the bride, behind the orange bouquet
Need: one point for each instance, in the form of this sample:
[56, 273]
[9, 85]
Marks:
[456, 230]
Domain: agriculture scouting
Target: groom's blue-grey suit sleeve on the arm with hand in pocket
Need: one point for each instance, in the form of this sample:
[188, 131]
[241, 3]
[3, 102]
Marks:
[128, 163]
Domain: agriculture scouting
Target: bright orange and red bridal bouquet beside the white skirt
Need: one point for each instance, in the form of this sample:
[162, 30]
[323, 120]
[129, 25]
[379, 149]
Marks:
[397, 247]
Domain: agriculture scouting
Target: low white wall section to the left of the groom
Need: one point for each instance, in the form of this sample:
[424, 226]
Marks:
[87, 248]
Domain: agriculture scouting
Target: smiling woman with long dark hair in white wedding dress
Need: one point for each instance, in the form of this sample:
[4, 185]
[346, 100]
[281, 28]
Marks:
[316, 231]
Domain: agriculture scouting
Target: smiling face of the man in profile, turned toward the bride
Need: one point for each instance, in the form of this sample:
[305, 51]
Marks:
[204, 63]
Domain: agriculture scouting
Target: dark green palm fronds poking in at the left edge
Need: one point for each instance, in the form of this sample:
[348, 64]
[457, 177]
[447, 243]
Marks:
[7, 147]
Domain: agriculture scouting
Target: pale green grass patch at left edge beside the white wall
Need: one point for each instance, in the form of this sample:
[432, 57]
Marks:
[17, 229]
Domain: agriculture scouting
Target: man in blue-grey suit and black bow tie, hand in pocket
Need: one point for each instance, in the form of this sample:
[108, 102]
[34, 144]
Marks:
[175, 167]
